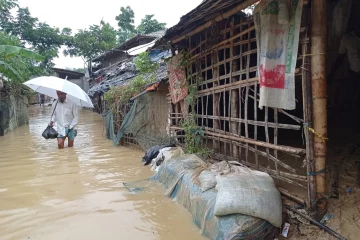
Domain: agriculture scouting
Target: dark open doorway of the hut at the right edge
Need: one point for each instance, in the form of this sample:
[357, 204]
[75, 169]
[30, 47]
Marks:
[343, 103]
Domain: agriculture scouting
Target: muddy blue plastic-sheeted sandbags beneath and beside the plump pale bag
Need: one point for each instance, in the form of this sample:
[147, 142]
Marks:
[179, 177]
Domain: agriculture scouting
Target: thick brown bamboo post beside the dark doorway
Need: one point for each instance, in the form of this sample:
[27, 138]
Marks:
[319, 97]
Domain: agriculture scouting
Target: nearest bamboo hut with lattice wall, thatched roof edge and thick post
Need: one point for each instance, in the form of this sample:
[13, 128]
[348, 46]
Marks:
[289, 145]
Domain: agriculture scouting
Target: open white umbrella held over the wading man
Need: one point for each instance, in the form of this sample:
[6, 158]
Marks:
[48, 85]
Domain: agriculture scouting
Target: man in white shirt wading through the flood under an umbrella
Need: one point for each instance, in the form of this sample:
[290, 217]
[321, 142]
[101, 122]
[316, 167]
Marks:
[66, 115]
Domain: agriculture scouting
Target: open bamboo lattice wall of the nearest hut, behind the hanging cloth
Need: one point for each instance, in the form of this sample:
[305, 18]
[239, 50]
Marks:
[224, 66]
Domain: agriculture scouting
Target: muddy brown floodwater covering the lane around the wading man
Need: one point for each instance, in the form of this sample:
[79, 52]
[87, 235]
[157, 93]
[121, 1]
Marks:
[78, 193]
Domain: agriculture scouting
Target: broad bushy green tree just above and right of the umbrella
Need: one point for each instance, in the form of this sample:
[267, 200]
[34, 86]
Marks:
[89, 43]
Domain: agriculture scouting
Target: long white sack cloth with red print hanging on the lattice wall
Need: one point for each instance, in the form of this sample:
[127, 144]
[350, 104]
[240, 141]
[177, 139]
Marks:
[277, 24]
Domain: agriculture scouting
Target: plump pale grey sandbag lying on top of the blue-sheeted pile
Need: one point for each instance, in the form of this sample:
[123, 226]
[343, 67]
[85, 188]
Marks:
[251, 193]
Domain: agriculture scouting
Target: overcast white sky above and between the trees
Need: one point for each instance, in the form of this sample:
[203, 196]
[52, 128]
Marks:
[79, 14]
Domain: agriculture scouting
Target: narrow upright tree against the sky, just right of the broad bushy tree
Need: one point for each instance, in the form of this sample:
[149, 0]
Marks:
[126, 24]
